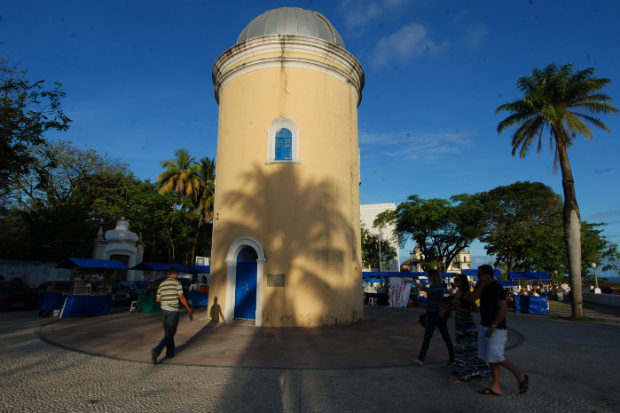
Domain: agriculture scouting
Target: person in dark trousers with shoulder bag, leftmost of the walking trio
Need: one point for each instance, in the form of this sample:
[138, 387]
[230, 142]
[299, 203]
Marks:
[436, 316]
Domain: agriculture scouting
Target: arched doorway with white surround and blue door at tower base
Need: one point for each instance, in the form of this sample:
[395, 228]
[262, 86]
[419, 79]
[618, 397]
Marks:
[248, 253]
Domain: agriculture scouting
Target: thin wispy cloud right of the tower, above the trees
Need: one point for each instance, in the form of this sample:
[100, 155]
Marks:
[423, 147]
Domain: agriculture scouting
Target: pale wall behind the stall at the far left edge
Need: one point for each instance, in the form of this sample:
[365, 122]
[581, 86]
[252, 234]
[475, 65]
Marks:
[34, 273]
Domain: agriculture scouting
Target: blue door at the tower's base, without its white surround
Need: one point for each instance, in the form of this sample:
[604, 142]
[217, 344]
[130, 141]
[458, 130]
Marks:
[245, 287]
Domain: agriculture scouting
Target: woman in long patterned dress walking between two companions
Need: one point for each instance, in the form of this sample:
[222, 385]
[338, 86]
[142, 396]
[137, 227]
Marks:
[467, 365]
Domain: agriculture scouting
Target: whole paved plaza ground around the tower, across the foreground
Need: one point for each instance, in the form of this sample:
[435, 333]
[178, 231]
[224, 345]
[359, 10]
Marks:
[102, 364]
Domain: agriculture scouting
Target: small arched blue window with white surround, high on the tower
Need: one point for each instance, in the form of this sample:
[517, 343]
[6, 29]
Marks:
[283, 141]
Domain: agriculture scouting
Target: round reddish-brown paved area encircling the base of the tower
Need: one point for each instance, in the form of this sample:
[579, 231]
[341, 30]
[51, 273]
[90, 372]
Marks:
[131, 336]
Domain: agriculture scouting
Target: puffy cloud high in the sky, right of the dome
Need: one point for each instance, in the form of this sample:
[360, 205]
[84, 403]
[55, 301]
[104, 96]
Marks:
[409, 41]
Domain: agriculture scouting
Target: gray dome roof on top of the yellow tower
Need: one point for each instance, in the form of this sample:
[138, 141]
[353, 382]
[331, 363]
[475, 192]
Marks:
[292, 20]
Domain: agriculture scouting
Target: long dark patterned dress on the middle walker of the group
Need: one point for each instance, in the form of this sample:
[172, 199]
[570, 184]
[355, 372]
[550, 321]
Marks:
[467, 365]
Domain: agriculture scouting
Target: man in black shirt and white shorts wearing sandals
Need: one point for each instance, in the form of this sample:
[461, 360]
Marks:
[493, 334]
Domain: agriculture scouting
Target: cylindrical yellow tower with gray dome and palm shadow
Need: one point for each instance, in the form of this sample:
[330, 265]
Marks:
[286, 232]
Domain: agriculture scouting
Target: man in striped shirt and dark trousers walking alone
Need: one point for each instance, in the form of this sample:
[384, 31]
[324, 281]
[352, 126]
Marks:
[169, 293]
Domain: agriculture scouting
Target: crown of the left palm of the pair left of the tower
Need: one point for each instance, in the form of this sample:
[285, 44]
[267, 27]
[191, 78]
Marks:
[180, 175]
